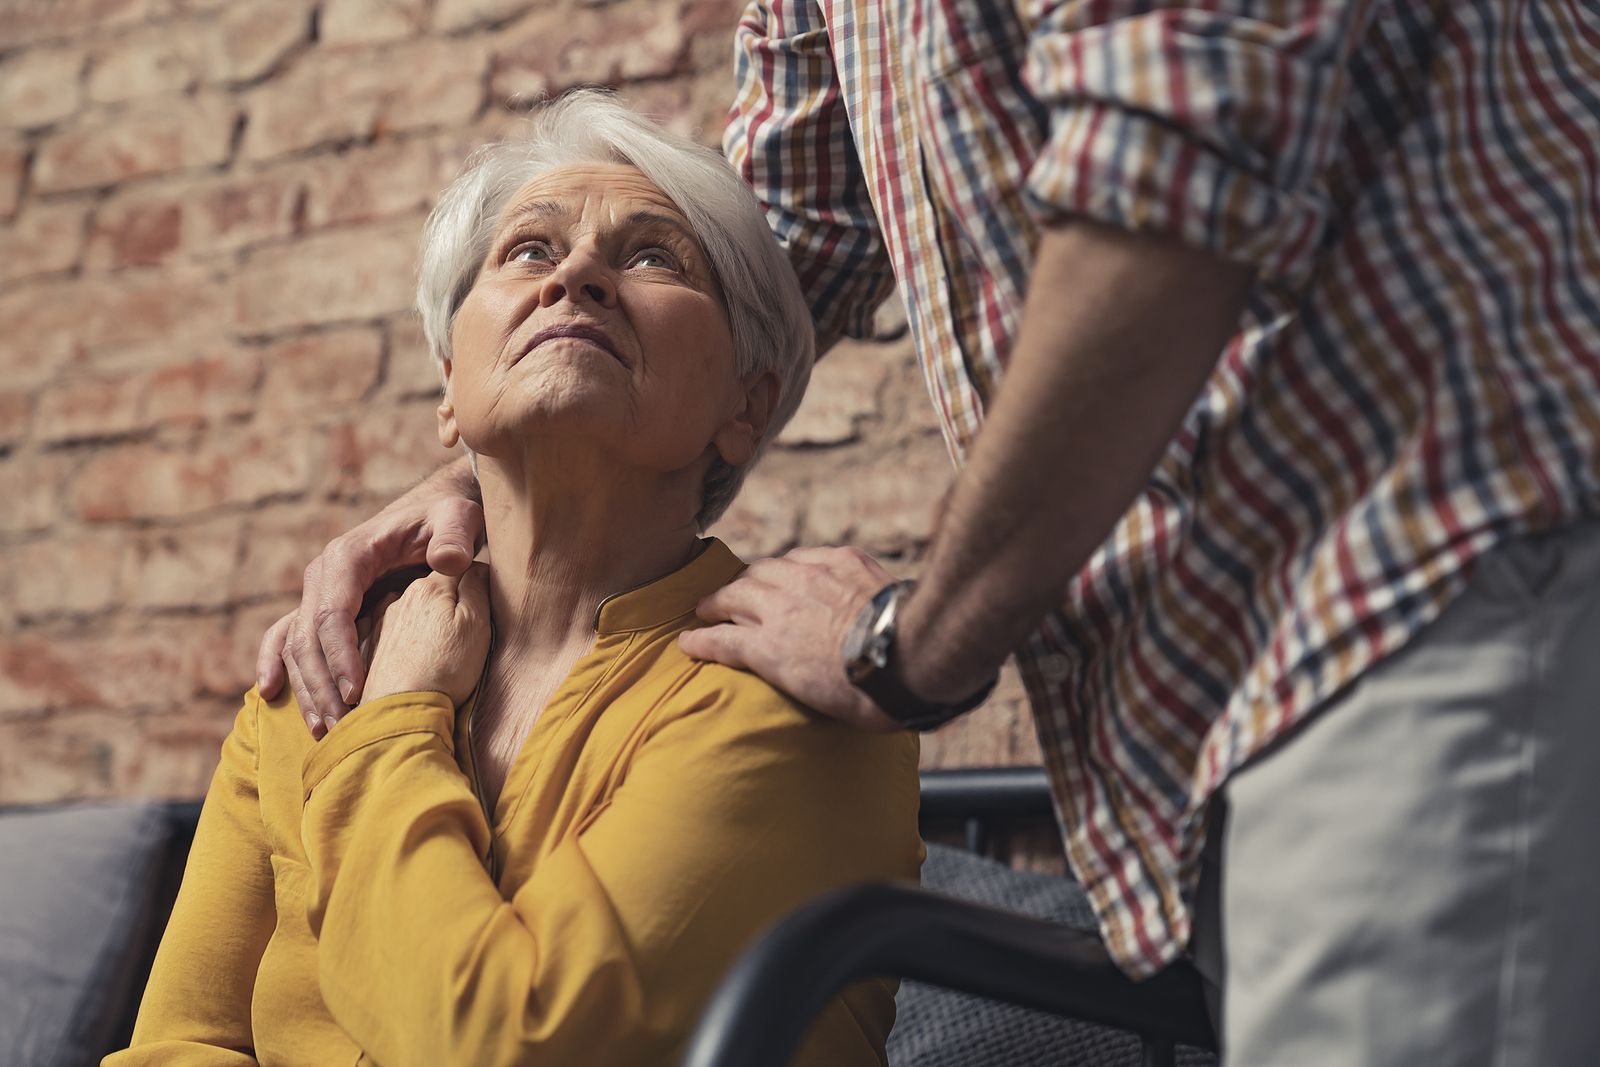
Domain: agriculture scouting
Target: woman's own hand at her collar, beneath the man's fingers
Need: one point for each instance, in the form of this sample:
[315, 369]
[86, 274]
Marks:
[434, 639]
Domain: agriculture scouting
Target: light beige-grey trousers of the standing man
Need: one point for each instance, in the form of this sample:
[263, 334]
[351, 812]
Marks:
[1414, 877]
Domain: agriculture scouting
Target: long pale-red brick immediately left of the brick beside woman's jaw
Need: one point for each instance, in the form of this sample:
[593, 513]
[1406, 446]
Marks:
[162, 482]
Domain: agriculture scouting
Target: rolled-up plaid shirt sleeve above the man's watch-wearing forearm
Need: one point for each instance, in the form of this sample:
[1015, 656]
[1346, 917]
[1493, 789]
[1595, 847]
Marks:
[1214, 126]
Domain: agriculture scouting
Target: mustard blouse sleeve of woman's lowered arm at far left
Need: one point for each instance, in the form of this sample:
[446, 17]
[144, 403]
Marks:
[196, 1009]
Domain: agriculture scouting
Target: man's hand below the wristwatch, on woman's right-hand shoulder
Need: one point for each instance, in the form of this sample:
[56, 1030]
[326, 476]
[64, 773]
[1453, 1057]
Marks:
[786, 620]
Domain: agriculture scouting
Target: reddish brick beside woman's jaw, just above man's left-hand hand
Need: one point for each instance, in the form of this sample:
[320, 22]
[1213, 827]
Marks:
[385, 452]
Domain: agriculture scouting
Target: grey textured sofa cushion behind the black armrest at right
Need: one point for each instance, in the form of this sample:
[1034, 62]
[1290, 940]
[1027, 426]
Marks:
[937, 1028]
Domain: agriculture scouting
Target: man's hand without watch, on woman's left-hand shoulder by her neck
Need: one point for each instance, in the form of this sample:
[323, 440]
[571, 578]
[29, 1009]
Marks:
[316, 647]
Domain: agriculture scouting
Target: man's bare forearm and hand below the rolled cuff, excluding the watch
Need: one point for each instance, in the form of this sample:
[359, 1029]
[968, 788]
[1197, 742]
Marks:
[1119, 337]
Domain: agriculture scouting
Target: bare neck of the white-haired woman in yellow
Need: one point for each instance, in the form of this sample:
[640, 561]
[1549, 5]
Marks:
[562, 540]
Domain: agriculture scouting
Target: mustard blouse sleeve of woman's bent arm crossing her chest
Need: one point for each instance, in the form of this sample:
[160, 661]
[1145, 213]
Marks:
[726, 821]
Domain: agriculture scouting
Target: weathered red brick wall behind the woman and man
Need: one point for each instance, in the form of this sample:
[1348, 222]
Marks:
[209, 214]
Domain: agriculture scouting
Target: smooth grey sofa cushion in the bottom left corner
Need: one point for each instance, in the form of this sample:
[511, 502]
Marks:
[79, 897]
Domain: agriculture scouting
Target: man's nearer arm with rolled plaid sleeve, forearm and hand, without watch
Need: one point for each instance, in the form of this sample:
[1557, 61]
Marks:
[1186, 156]
